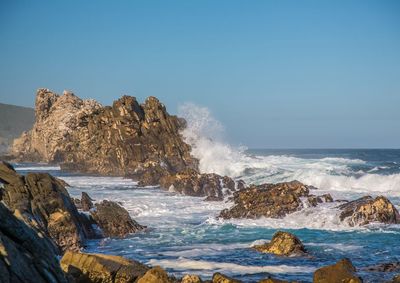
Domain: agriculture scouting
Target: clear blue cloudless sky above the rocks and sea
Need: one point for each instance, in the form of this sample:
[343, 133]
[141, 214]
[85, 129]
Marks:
[286, 74]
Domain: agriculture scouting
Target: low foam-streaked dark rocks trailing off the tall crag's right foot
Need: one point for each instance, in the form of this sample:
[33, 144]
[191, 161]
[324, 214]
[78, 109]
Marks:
[191, 183]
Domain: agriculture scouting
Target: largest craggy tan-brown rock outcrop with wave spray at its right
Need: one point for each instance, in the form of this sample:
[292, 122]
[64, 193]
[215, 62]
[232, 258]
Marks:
[126, 139]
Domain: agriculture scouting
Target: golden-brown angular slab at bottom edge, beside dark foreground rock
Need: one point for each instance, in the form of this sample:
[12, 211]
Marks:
[101, 268]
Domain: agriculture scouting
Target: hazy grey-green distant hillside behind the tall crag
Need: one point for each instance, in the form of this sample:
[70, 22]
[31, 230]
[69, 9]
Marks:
[13, 121]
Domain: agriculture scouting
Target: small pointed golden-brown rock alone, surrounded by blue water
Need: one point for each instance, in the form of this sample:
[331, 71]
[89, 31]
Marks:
[283, 244]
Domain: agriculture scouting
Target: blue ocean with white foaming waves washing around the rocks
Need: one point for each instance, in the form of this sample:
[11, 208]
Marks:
[184, 235]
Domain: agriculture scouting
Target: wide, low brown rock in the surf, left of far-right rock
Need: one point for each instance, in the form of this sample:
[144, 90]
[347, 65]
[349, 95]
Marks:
[268, 200]
